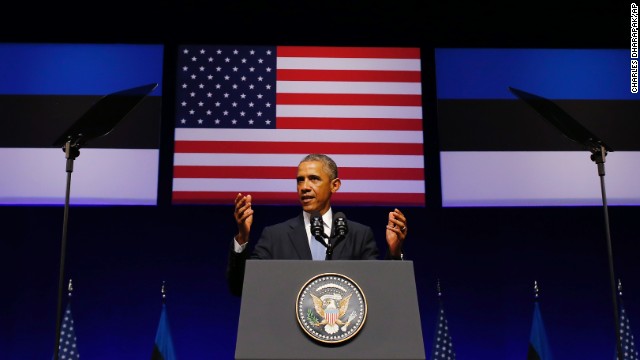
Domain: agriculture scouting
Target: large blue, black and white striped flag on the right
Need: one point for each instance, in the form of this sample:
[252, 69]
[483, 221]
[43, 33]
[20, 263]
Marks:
[496, 150]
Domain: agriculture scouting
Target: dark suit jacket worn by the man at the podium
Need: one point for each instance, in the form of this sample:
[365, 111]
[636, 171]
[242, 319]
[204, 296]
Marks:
[288, 241]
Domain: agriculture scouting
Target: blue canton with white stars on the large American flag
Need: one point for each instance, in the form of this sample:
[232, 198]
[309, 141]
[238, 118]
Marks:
[226, 87]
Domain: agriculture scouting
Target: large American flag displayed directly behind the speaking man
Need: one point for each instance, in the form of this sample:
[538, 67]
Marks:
[247, 115]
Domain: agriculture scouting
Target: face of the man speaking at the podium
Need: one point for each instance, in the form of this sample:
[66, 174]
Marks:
[314, 187]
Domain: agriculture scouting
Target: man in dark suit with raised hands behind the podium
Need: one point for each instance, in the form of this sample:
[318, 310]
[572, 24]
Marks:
[317, 180]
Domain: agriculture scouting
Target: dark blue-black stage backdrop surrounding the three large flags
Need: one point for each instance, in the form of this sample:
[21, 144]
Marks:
[485, 258]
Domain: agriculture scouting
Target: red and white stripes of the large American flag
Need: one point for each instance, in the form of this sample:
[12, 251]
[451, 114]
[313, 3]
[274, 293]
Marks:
[361, 106]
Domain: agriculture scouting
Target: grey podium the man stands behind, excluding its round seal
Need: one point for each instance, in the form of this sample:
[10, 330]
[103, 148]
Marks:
[269, 327]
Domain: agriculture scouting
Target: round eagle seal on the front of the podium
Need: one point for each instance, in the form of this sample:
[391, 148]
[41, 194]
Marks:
[331, 308]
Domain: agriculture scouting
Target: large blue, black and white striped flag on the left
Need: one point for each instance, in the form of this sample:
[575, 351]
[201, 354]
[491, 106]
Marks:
[44, 89]
